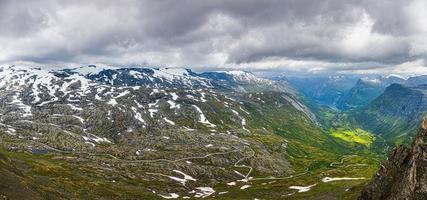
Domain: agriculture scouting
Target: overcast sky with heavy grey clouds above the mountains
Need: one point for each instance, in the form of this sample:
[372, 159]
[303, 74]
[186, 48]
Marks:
[307, 36]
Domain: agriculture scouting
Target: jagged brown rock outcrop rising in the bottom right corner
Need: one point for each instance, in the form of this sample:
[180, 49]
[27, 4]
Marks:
[404, 174]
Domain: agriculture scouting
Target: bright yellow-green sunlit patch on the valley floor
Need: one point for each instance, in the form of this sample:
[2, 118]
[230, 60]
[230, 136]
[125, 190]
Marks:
[358, 135]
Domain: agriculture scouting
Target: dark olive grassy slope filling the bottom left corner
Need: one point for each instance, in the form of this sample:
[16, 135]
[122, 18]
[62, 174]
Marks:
[45, 177]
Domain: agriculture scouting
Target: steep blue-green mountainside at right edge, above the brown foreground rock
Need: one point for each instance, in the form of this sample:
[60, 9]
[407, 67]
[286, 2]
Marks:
[396, 113]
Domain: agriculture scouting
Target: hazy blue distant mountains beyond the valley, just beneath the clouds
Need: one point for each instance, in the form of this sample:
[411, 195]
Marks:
[348, 91]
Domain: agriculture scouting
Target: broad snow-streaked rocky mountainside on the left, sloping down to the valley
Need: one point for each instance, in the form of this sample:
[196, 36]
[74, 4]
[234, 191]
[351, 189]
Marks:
[157, 133]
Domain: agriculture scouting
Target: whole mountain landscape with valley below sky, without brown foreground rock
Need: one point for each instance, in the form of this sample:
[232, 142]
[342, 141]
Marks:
[162, 133]
